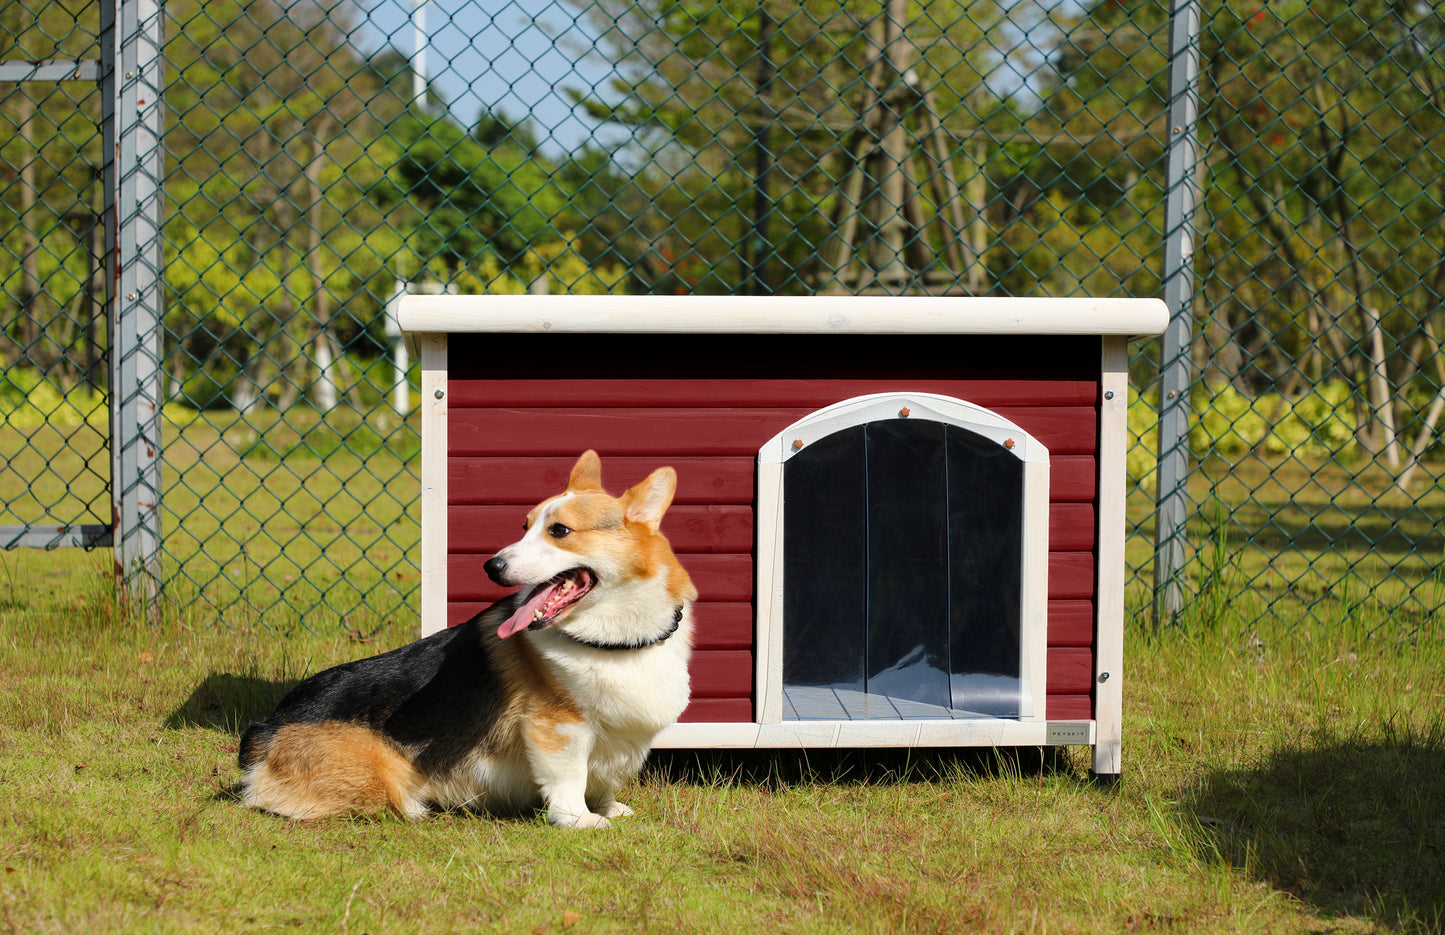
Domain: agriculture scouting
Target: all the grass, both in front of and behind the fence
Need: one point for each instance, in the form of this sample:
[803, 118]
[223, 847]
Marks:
[1285, 761]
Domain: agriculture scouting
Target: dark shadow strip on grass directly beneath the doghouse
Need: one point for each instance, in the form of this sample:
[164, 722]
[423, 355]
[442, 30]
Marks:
[791, 768]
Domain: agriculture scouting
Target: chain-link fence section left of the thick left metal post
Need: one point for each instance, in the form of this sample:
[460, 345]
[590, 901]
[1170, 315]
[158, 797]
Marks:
[54, 418]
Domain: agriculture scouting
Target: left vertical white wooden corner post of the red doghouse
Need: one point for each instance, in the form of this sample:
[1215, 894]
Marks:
[434, 482]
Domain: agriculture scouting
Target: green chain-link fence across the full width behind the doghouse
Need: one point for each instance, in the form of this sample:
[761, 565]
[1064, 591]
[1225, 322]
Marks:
[322, 160]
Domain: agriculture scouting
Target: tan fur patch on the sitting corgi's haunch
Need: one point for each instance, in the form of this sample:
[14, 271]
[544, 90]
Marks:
[329, 770]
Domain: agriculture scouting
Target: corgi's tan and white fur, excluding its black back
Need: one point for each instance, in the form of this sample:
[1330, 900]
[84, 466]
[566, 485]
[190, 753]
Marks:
[577, 715]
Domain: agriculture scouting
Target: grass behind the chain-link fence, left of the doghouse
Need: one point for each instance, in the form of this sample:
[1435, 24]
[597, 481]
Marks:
[285, 524]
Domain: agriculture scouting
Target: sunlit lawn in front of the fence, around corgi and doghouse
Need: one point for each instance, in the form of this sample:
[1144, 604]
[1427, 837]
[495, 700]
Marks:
[1277, 781]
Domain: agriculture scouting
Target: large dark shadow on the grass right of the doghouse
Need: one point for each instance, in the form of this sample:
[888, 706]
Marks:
[1347, 827]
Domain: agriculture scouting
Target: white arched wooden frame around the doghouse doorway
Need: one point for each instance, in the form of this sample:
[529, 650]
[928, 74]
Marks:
[769, 524]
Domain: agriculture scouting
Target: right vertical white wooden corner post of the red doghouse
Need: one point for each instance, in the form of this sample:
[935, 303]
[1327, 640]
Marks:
[1109, 626]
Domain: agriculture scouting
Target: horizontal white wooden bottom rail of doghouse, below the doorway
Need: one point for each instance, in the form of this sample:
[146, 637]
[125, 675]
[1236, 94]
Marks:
[895, 733]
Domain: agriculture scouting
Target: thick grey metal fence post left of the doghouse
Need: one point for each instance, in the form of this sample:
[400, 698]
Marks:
[132, 85]
